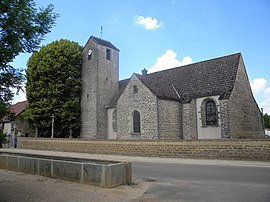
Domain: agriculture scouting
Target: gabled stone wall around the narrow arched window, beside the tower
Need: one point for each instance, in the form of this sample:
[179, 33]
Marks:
[145, 102]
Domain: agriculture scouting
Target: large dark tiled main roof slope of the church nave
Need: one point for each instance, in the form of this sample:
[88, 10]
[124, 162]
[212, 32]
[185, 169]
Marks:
[201, 79]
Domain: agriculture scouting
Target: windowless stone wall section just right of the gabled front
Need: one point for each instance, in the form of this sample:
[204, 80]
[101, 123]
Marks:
[169, 120]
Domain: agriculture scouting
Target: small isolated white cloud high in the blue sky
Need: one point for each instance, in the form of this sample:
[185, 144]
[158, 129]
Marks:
[147, 22]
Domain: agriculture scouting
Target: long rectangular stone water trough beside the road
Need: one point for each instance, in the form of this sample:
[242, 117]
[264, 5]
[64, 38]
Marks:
[99, 173]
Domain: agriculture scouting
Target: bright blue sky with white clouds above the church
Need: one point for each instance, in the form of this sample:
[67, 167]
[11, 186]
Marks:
[162, 34]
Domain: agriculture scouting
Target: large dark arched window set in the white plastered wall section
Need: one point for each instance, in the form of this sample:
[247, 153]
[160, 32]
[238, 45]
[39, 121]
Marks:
[211, 113]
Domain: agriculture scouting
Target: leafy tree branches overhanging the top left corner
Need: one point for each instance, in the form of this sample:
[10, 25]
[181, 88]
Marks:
[22, 28]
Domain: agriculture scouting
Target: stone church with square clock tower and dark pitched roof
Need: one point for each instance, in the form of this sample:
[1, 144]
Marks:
[211, 99]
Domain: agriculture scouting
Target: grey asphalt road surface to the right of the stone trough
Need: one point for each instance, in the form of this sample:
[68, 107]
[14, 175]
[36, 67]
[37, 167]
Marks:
[191, 182]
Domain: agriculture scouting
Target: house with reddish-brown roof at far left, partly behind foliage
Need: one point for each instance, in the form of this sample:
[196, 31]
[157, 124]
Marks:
[16, 126]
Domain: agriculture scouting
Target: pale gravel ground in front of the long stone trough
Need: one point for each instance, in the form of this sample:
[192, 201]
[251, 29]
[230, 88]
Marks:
[15, 186]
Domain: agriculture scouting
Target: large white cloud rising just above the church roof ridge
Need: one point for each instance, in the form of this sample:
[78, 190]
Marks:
[168, 60]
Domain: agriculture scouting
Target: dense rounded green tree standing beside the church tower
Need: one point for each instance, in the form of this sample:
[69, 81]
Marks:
[54, 87]
